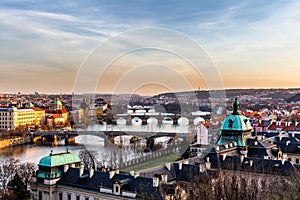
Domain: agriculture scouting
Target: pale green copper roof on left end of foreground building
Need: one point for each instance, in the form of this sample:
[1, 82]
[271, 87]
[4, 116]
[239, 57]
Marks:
[59, 159]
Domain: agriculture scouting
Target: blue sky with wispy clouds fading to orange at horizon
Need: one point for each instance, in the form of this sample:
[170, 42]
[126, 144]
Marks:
[147, 47]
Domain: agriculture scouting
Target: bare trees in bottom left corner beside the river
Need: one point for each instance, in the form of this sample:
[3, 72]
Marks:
[15, 178]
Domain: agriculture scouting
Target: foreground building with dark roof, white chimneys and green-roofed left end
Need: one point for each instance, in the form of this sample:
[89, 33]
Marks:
[61, 177]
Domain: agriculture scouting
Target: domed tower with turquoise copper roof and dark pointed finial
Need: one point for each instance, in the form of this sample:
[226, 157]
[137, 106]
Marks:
[236, 128]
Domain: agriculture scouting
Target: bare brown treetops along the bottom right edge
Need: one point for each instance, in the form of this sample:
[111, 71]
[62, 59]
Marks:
[231, 185]
